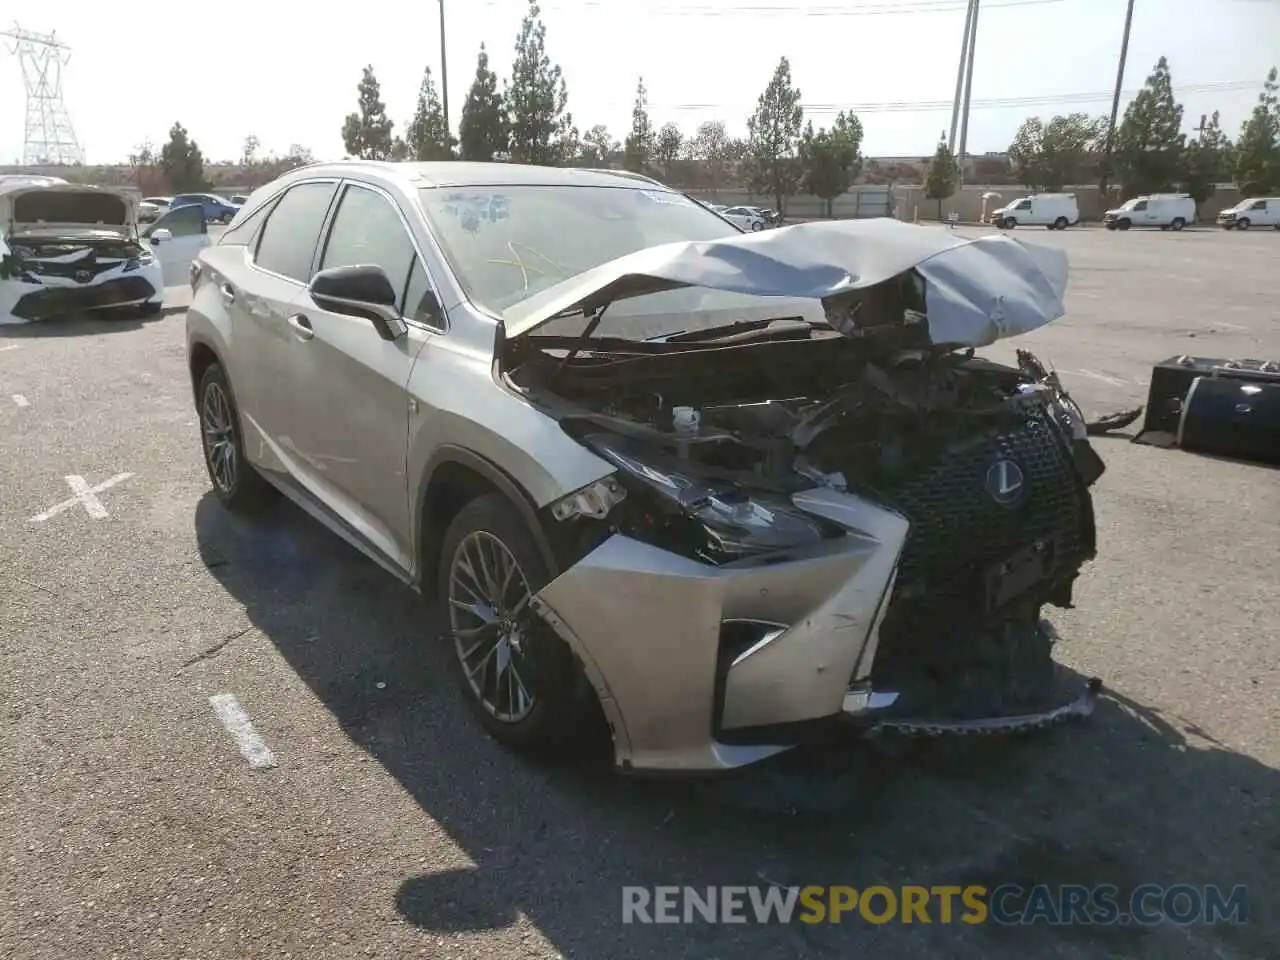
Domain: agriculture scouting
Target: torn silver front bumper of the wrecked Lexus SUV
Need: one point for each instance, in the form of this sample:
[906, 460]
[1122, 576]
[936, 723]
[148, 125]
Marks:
[710, 669]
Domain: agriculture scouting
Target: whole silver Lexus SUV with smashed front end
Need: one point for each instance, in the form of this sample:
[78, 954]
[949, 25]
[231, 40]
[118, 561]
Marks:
[729, 491]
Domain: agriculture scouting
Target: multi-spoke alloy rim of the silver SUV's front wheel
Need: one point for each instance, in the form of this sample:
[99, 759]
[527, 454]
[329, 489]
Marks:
[488, 597]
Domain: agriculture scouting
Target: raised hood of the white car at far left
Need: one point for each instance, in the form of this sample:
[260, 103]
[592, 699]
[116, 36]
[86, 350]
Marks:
[29, 208]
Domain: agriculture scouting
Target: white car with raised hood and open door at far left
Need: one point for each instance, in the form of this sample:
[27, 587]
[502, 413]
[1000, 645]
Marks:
[68, 249]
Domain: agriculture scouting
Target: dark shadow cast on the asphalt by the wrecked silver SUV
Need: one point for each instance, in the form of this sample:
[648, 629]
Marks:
[1132, 798]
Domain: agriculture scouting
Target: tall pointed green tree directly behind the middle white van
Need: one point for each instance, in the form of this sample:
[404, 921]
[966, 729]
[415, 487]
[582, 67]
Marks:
[1150, 143]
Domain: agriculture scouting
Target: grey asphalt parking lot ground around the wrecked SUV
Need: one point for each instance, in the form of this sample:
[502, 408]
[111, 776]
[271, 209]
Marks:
[383, 824]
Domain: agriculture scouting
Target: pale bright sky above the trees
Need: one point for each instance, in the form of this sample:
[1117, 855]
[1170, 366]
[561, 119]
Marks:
[266, 68]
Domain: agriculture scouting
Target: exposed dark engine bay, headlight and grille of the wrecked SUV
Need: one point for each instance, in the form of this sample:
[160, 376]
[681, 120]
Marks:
[989, 463]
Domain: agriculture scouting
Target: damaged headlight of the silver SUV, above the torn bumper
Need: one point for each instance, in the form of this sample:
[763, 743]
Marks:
[707, 520]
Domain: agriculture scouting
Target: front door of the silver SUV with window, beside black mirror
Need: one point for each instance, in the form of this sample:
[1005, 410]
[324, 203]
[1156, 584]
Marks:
[350, 422]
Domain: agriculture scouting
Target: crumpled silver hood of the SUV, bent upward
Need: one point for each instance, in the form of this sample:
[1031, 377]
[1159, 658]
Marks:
[976, 290]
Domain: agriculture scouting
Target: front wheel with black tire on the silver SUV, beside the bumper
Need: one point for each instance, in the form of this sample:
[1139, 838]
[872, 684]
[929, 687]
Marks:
[561, 716]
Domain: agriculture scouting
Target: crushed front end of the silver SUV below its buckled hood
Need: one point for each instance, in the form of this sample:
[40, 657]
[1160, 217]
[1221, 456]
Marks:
[813, 529]
